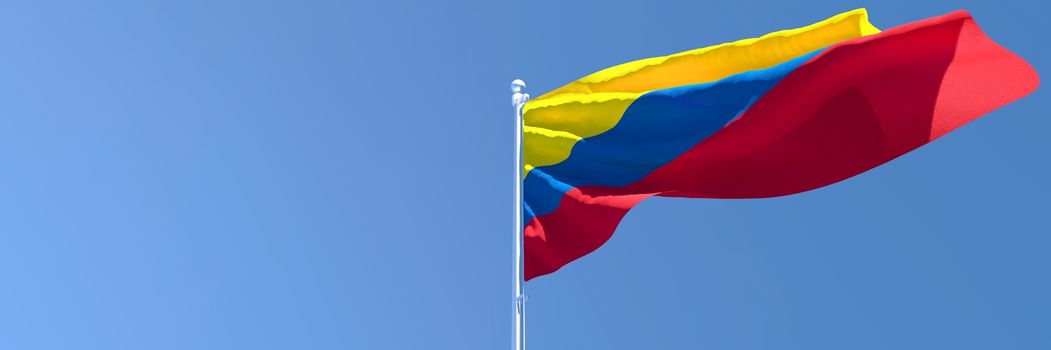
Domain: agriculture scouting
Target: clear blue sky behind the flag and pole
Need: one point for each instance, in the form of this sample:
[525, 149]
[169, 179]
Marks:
[338, 175]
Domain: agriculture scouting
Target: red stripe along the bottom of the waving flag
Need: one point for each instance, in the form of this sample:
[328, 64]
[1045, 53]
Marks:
[857, 106]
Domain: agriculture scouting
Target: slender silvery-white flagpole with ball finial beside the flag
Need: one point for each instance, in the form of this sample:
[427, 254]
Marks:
[519, 101]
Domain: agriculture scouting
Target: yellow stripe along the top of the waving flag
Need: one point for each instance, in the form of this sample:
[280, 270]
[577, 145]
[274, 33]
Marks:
[592, 106]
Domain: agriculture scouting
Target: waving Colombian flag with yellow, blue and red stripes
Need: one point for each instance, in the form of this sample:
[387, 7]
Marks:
[787, 113]
